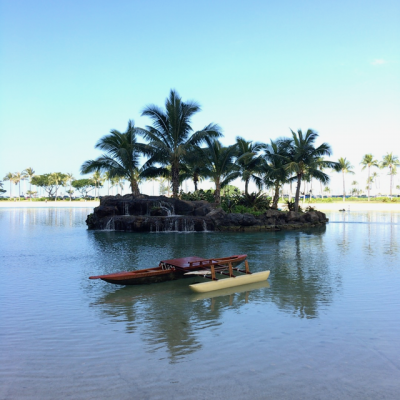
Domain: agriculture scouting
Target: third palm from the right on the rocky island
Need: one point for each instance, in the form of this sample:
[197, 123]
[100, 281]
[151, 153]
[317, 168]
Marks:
[249, 162]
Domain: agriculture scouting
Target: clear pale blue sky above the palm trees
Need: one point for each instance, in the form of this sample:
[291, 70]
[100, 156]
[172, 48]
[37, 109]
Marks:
[72, 70]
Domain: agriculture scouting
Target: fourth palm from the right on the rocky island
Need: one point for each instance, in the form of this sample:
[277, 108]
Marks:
[218, 164]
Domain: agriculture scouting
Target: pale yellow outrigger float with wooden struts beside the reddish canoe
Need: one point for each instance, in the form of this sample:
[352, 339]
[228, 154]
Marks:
[233, 280]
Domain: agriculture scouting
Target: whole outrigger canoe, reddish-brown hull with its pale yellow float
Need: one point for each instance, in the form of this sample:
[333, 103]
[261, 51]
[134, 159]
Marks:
[188, 267]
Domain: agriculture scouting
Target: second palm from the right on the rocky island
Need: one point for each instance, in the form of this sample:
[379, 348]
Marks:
[273, 169]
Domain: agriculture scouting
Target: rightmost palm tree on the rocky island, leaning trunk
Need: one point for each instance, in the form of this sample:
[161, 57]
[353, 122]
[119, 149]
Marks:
[303, 157]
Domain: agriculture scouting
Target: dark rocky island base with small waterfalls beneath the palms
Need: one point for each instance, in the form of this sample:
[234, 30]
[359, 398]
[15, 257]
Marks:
[163, 214]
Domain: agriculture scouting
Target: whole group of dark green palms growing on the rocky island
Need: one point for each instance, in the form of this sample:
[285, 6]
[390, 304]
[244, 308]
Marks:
[174, 151]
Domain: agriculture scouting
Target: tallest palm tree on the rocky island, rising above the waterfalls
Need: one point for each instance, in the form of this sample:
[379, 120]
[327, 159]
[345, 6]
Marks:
[171, 137]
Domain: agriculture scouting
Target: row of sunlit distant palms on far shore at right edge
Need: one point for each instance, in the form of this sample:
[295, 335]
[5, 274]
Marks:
[388, 161]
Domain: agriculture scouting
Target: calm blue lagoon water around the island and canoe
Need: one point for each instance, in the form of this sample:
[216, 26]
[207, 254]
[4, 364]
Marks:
[325, 326]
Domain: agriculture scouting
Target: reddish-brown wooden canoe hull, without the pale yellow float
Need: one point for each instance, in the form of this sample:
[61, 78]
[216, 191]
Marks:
[170, 270]
